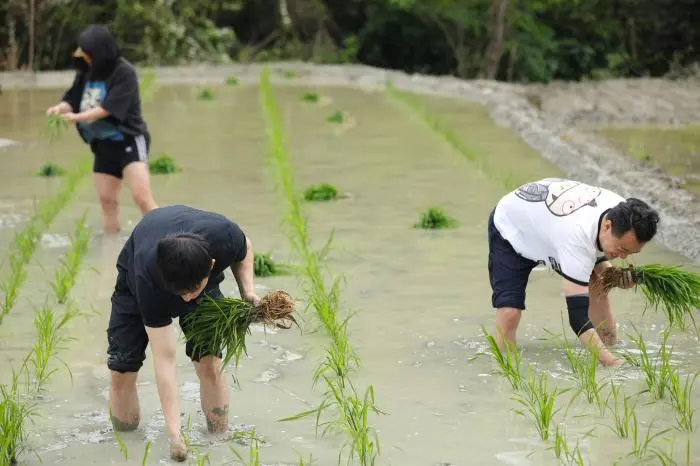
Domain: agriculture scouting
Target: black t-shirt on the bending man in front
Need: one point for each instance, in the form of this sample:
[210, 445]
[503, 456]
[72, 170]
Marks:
[138, 271]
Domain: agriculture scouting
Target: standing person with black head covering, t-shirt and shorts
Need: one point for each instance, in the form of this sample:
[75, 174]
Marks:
[105, 105]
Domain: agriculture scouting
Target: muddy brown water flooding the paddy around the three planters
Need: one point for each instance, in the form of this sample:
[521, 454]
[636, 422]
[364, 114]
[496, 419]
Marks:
[421, 297]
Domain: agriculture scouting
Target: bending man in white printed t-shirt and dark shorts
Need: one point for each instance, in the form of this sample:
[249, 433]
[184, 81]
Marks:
[574, 229]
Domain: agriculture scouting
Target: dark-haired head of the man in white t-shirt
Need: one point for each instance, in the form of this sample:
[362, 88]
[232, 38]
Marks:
[626, 228]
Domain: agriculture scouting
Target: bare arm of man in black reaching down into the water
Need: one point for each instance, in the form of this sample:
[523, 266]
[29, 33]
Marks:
[163, 347]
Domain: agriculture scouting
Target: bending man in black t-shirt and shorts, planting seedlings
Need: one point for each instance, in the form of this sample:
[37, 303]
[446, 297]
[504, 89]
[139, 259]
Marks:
[174, 256]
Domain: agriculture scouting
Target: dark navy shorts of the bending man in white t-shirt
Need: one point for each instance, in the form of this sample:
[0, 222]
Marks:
[508, 271]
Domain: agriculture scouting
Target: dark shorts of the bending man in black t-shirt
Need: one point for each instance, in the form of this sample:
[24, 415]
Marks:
[126, 335]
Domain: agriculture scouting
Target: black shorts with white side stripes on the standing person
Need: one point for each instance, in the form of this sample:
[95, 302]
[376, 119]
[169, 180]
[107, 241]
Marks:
[112, 156]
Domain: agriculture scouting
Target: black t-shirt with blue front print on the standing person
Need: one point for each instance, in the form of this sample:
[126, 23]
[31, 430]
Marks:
[118, 94]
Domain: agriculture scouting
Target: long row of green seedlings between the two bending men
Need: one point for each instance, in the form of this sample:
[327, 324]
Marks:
[352, 410]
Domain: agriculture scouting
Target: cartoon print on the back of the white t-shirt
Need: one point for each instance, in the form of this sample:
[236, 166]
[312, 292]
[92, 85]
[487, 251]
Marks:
[562, 197]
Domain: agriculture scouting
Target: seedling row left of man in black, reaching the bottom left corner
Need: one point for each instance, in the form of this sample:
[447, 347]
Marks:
[20, 398]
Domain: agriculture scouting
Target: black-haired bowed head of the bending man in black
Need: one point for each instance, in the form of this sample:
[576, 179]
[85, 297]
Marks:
[184, 260]
